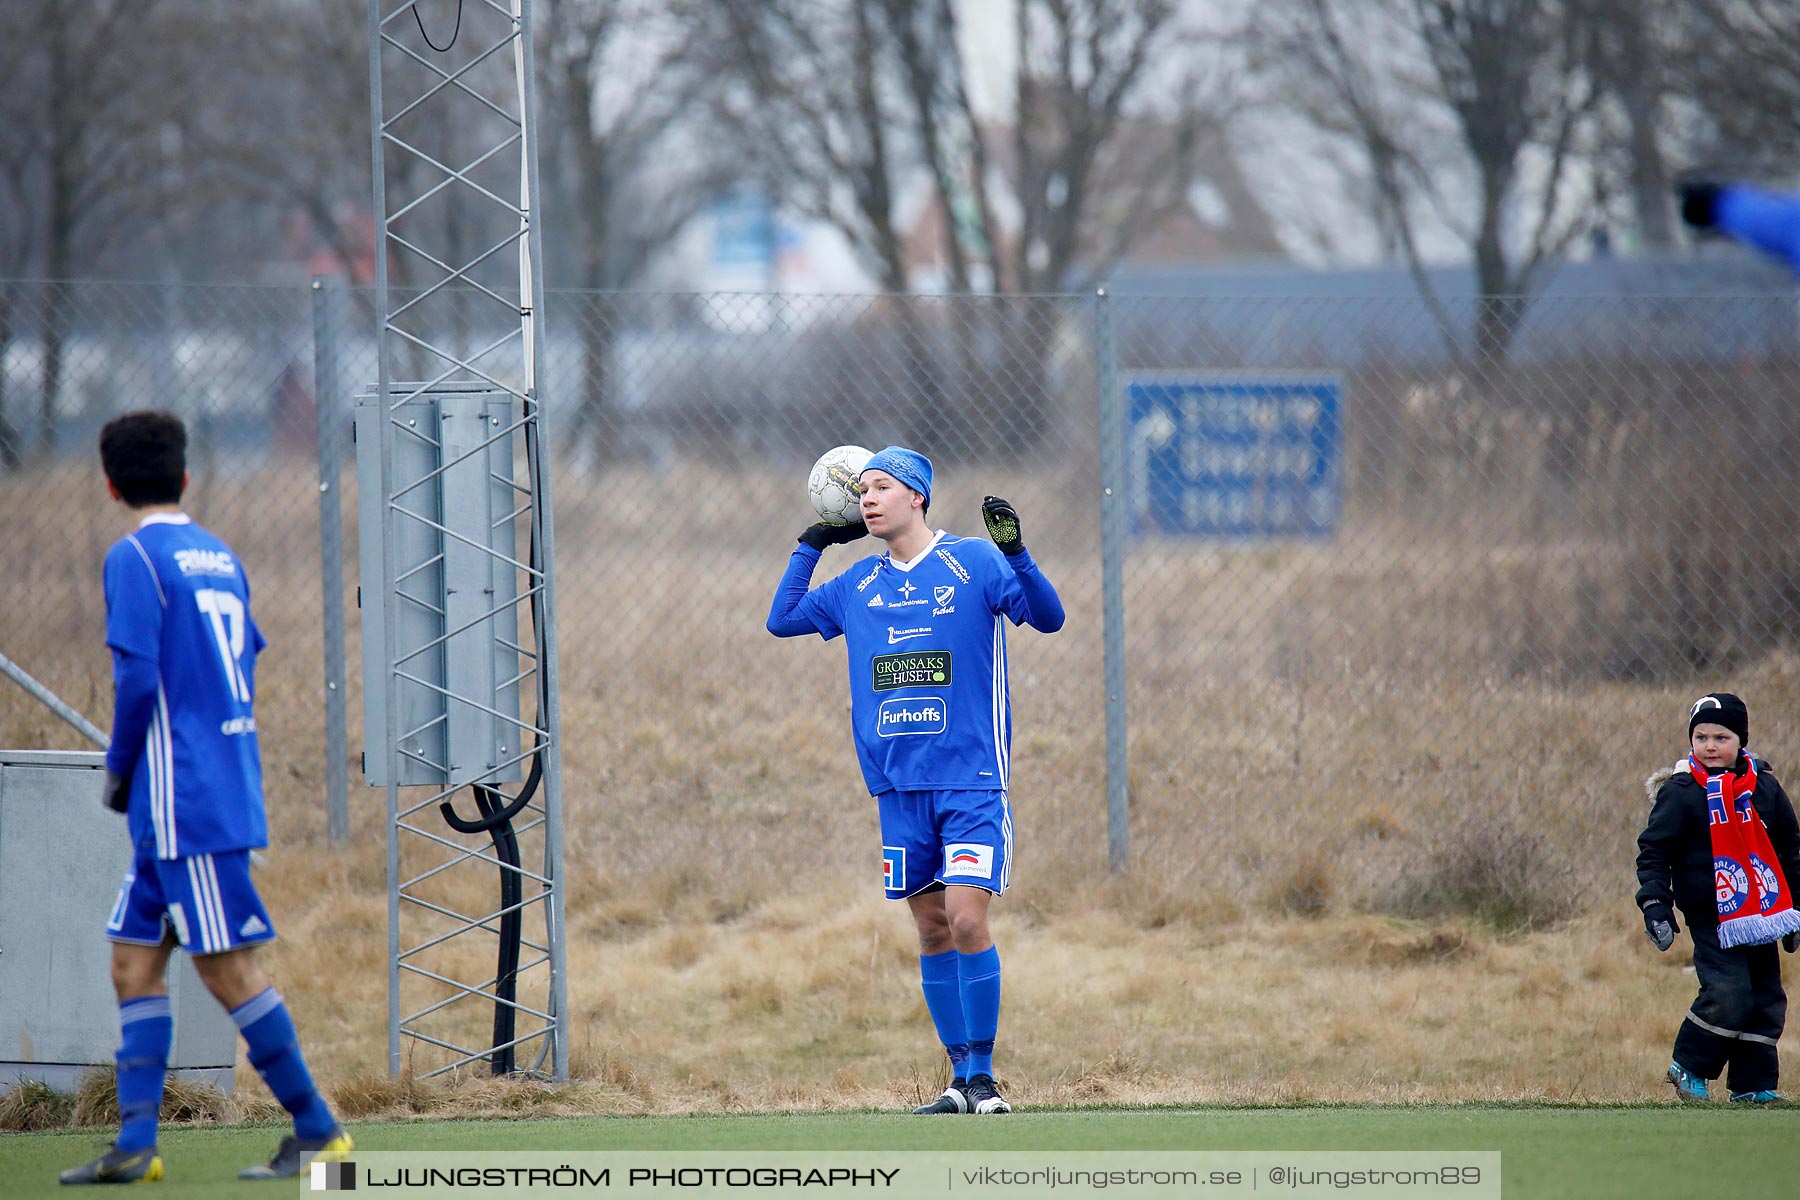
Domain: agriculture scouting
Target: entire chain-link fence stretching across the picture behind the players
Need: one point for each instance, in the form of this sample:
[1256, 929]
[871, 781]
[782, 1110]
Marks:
[1414, 593]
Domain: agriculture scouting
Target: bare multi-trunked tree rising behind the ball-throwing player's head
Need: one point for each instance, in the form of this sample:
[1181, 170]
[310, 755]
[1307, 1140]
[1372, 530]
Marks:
[852, 103]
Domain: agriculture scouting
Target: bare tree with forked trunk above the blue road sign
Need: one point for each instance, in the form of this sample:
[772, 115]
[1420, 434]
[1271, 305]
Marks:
[1464, 112]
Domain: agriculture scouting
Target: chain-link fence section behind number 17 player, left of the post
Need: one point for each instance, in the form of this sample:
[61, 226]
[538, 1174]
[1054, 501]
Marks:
[238, 366]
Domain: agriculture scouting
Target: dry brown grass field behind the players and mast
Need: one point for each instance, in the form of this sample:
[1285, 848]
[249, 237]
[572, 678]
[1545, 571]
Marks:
[1374, 857]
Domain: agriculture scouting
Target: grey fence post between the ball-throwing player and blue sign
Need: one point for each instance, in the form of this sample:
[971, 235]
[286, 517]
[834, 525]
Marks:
[1113, 501]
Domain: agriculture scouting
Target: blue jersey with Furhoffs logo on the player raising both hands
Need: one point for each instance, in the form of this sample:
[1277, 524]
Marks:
[926, 643]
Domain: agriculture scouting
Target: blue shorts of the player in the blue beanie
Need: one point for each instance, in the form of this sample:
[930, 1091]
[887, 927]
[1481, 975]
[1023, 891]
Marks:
[946, 837]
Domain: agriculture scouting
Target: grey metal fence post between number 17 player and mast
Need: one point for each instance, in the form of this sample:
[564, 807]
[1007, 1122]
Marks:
[328, 404]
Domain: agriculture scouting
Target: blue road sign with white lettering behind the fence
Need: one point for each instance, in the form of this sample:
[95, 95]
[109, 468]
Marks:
[1236, 456]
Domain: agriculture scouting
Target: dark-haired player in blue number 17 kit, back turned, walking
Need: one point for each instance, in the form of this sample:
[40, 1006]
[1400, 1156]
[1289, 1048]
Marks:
[186, 771]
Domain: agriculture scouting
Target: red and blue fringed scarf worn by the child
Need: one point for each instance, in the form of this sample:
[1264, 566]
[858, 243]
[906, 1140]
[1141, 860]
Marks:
[1756, 906]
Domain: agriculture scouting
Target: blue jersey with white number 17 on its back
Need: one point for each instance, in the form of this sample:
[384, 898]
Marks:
[184, 667]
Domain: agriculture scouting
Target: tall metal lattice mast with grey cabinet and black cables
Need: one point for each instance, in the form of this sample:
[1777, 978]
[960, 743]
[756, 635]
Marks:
[456, 494]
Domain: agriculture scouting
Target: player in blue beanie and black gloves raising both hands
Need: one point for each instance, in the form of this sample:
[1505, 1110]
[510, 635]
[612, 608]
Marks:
[931, 715]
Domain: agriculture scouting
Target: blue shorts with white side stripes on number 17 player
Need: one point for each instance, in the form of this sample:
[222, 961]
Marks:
[206, 900]
